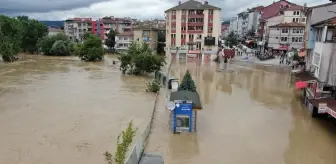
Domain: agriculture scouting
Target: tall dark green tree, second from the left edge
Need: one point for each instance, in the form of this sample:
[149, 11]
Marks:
[33, 30]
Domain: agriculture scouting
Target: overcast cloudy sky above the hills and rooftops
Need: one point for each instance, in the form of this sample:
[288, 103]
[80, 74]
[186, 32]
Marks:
[141, 9]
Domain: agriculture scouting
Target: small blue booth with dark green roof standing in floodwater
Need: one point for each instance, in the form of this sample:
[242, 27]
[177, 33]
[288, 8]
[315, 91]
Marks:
[184, 106]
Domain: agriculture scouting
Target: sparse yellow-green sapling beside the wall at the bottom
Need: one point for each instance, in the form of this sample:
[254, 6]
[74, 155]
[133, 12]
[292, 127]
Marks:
[122, 146]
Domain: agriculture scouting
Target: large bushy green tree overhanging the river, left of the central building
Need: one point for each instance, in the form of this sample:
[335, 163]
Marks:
[140, 59]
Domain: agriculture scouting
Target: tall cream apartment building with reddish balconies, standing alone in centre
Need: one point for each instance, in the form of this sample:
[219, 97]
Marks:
[194, 28]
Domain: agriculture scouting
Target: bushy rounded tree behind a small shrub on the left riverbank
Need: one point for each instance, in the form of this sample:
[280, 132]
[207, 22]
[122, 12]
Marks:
[46, 43]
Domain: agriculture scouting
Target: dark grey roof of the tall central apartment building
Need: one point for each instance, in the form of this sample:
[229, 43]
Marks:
[193, 5]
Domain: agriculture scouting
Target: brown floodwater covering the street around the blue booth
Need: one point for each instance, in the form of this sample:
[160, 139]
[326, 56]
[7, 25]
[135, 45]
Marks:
[250, 116]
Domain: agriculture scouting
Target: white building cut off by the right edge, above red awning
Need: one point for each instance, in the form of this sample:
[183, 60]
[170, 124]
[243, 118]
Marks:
[321, 42]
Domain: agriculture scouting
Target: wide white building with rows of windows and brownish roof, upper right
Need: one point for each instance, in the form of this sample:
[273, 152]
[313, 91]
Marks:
[285, 36]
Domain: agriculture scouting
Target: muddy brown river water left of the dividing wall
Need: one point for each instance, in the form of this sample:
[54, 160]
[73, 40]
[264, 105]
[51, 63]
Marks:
[64, 111]
